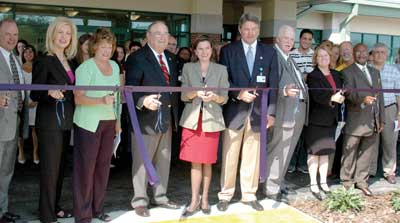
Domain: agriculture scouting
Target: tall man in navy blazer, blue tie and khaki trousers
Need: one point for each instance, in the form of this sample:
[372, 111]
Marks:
[250, 64]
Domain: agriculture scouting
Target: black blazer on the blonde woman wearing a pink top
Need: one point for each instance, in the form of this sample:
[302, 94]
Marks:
[49, 70]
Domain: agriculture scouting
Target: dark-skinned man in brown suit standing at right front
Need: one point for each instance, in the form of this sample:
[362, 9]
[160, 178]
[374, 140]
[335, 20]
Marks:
[365, 119]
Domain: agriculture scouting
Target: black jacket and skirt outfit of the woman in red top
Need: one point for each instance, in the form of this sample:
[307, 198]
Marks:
[320, 132]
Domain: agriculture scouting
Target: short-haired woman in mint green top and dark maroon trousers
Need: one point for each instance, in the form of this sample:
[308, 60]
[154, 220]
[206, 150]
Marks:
[96, 121]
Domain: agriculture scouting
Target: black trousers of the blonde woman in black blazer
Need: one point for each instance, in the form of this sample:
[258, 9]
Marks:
[52, 144]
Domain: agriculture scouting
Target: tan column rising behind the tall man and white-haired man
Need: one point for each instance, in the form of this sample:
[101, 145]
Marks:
[276, 13]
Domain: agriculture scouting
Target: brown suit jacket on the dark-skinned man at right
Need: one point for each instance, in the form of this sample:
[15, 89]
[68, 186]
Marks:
[362, 120]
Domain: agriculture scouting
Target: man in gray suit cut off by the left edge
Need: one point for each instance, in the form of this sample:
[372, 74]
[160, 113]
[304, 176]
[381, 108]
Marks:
[11, 109]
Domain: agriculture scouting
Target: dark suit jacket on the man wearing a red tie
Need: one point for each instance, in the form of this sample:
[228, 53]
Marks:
[142, 69]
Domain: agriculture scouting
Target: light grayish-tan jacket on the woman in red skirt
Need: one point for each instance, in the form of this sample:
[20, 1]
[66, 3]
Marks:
[212, 119]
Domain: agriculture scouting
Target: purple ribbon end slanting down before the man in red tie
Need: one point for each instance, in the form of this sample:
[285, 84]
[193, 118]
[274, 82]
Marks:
[151, 172]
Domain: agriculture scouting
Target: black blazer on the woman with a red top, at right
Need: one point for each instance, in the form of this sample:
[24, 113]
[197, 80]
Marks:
[321, 112]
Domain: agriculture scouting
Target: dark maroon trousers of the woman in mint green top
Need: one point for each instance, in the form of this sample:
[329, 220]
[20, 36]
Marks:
[92, 159]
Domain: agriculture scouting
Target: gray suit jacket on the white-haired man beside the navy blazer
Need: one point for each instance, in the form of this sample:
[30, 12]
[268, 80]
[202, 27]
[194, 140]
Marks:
[285, 106]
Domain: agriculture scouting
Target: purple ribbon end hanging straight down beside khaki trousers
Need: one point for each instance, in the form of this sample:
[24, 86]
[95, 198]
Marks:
[263, 136]
